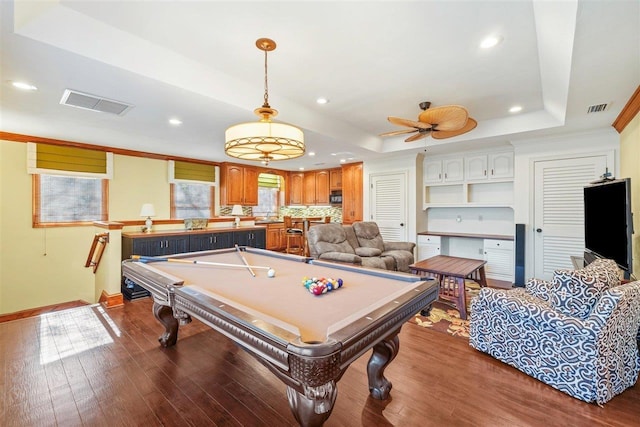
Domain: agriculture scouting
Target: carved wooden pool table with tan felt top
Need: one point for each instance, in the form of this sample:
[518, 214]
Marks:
[308, 341]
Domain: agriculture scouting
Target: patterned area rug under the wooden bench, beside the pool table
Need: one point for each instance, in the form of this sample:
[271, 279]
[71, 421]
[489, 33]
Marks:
[445, 318]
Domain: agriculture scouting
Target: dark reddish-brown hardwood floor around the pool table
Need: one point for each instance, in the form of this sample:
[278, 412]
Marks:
[93, 367]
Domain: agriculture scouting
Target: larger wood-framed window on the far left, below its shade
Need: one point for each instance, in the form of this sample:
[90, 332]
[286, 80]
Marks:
[68, 200]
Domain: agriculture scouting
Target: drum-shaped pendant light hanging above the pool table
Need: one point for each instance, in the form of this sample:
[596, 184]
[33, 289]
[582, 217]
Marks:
[264, 140]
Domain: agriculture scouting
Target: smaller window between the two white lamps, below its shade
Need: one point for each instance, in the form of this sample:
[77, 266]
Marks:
[191, 200]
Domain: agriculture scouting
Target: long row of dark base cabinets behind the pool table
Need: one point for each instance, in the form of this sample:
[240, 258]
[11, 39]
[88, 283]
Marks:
[159, 245]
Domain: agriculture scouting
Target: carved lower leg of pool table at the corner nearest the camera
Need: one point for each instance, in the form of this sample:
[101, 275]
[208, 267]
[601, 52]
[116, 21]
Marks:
[314, 407]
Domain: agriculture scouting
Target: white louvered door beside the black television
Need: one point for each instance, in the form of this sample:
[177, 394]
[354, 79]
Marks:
[559, 210]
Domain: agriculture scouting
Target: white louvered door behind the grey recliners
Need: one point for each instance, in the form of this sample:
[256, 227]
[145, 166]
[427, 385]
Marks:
[389, 205]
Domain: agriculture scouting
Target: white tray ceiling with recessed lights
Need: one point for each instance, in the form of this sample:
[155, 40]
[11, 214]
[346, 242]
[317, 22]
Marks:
[197, 61]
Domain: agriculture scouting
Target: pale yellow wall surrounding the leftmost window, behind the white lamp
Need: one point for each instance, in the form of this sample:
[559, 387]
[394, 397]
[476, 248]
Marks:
[45, 266]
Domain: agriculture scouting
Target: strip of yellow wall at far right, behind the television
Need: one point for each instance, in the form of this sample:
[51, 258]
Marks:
[630, 168]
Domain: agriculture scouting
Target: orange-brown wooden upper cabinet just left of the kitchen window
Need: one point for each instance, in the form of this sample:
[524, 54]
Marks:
[238, 185]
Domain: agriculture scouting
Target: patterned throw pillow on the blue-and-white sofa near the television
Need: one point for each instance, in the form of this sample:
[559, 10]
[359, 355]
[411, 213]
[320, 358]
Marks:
[577, 291]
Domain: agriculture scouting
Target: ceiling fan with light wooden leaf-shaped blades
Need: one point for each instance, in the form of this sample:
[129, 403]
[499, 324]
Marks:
[439, 122]
